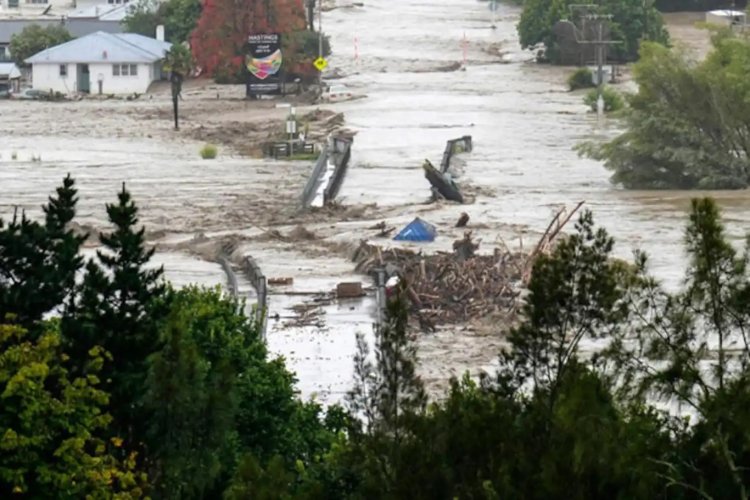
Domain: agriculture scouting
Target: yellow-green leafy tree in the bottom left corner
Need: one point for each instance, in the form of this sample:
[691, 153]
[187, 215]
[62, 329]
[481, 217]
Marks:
[54, 425]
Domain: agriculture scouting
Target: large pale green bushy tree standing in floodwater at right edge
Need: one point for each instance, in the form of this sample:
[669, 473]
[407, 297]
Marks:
[688, 125]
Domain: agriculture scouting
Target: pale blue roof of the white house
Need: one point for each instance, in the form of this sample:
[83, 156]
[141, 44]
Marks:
[104, 47]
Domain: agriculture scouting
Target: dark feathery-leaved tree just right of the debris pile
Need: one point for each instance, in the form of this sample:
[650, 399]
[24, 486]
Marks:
[588, 290]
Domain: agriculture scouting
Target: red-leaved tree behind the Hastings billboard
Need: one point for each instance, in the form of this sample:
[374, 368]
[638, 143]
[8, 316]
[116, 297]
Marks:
[219, 39]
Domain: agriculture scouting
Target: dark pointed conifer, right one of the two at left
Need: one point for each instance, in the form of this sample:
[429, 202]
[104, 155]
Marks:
[119, 306]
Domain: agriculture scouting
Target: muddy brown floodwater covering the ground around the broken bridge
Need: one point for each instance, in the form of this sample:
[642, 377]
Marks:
[523, 122]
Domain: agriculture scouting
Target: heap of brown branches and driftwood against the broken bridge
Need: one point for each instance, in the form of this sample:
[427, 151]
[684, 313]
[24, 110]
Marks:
[451, 287]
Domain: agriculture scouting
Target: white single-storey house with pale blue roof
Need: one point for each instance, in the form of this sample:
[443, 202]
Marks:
[104, 63]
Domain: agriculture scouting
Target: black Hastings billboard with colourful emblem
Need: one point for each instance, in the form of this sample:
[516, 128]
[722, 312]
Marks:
[263, 63]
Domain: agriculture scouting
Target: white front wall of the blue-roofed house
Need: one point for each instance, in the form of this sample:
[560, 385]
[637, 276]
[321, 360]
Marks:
[47, 77]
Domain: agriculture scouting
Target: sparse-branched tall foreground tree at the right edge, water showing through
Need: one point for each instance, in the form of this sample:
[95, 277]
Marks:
[691, 349]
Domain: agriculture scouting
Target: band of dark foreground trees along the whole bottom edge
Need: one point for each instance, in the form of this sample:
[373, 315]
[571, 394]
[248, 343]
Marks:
[145, 390]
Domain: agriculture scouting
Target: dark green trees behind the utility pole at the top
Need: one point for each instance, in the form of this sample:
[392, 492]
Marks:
[632, 21]
